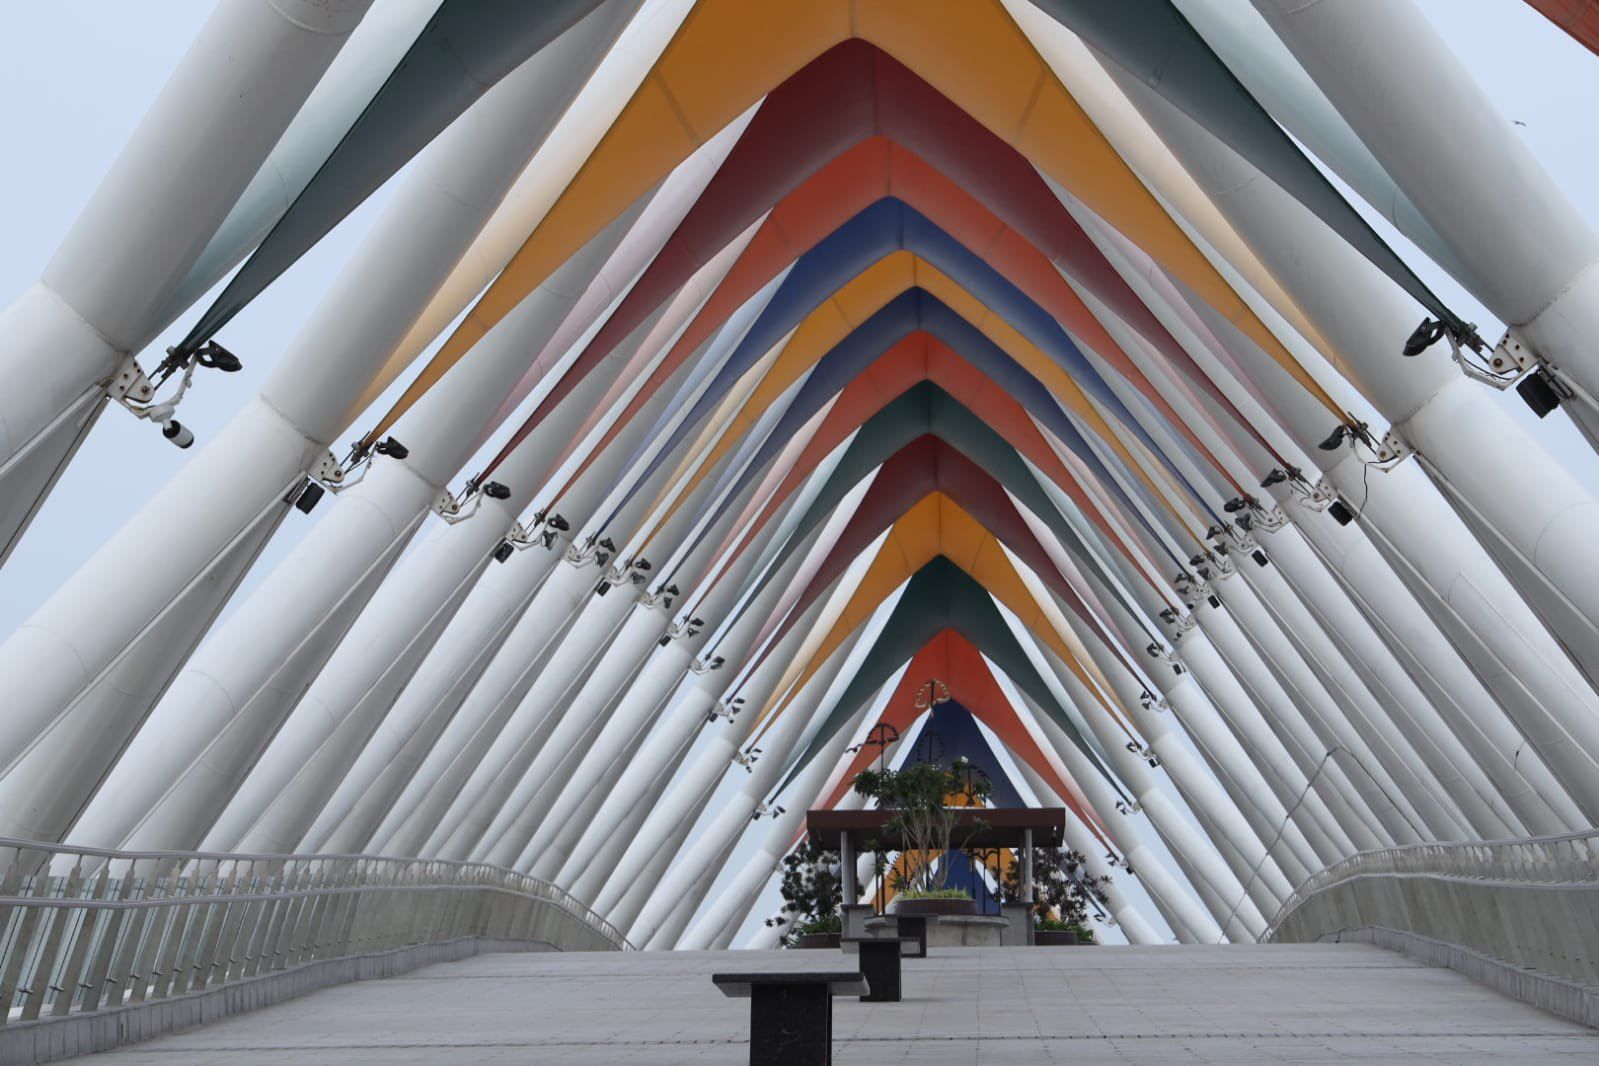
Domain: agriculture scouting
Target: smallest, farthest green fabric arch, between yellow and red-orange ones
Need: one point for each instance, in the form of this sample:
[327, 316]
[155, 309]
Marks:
[943, 597]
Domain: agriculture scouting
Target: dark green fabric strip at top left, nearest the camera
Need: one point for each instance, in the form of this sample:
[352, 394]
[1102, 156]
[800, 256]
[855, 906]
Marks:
[461, 54]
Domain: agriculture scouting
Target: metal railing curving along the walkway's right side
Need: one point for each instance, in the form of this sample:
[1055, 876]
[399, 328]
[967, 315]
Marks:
[1529, 904]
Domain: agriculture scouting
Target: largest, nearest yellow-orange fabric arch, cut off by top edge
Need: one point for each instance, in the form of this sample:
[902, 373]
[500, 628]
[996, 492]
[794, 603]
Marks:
[730, 54]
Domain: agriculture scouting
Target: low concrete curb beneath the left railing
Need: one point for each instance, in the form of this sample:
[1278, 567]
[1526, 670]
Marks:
[49, 1040]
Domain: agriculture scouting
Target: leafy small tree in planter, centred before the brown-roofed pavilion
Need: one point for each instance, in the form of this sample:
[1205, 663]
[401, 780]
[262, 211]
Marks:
[917, 801]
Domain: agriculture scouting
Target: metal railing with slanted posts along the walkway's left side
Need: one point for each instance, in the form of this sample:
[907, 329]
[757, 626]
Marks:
[92, 929]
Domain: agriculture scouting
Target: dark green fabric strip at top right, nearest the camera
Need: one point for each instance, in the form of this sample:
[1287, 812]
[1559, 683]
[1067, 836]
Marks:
[1154, 42]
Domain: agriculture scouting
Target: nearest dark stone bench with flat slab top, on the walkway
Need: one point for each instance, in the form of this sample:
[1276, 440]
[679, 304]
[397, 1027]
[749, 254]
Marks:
[791, 1014]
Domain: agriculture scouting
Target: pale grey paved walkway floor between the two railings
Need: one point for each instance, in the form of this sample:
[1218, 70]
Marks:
[1262, 1004]
